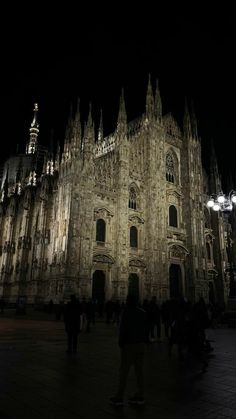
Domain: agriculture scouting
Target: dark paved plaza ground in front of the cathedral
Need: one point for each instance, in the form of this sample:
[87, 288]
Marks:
[39, 380]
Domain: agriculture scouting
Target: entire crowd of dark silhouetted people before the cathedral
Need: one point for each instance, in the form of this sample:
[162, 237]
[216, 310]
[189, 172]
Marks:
[177, 321]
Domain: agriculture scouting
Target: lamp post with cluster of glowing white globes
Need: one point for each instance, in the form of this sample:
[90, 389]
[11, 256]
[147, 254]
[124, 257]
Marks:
[225, 204]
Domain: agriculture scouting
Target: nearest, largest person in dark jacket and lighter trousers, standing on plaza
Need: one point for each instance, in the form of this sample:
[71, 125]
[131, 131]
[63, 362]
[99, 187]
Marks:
[133, 335]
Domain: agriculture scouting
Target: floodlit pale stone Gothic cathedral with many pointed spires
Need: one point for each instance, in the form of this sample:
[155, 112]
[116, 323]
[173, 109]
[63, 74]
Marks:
[110, 215]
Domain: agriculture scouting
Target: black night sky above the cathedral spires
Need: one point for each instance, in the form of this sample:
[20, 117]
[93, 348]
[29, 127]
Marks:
[53, 57]
